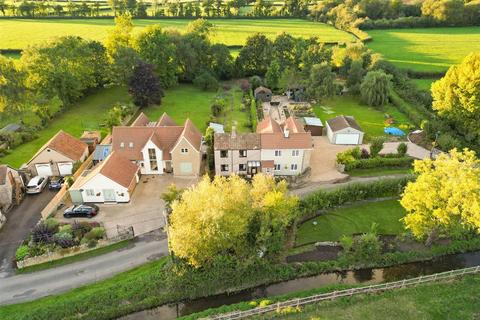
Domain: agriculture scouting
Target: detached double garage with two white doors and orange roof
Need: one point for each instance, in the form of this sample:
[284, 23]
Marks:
[58, 155]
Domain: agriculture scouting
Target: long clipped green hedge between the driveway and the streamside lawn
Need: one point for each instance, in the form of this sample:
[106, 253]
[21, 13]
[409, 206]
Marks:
[323, 200]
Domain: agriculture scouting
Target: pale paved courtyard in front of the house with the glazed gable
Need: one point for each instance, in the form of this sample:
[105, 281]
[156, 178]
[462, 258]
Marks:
[144, 212]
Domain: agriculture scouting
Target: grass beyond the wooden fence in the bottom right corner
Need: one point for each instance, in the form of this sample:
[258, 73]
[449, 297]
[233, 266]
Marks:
[455, 299]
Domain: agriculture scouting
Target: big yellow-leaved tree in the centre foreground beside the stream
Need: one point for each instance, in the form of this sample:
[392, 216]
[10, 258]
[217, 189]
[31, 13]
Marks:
[227, 216]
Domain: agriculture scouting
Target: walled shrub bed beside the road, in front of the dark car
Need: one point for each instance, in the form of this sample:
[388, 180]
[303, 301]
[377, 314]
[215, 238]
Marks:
[50, 236]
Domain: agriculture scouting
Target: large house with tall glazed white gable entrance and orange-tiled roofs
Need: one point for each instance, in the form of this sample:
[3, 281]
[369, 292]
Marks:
[159, 147]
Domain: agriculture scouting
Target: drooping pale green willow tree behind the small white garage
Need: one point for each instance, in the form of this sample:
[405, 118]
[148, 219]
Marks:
[375, 88]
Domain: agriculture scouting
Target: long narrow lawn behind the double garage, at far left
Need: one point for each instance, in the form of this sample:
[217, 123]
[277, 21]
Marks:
[86, 114]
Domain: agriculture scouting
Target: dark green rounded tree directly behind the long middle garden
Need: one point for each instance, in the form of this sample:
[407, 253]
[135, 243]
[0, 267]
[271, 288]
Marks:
[255, 56]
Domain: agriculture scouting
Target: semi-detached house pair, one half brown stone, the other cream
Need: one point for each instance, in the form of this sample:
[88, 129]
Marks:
[277, 149]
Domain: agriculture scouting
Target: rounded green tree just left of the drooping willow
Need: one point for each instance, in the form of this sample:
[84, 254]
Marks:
[320, 82]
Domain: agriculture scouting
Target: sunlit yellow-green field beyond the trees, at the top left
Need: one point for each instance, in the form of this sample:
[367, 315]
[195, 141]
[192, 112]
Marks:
[17, 33]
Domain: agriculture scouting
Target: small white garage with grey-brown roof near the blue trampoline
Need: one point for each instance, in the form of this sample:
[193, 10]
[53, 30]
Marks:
[344, 130]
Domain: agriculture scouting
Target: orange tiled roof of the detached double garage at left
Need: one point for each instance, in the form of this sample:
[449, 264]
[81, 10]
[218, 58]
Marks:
[65, 144]
